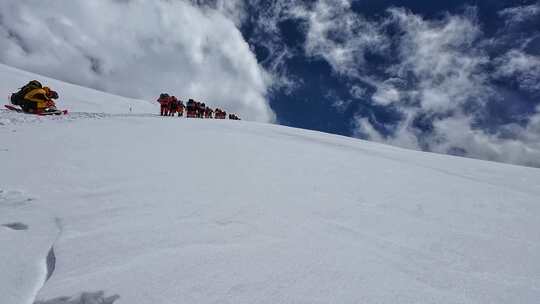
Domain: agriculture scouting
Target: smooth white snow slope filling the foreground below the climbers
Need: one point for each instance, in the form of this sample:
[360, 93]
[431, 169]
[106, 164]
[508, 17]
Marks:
[142, 209]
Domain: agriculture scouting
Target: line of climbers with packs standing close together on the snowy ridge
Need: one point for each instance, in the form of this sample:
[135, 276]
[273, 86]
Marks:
[170, 105]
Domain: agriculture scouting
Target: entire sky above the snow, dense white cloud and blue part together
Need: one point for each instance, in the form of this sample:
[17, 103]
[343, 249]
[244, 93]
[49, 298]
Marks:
[453, 77]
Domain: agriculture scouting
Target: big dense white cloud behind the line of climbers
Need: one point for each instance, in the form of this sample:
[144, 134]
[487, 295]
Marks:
[138, 49]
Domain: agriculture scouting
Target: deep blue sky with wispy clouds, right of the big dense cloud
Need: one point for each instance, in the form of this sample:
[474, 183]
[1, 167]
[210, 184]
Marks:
[381, 87]
